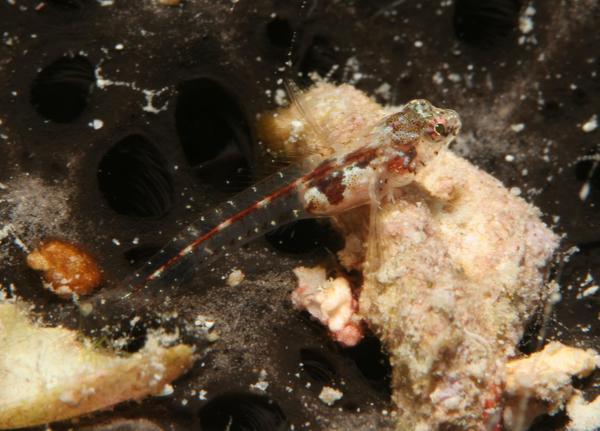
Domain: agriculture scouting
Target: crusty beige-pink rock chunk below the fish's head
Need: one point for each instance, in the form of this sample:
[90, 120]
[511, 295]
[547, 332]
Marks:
[455, 271]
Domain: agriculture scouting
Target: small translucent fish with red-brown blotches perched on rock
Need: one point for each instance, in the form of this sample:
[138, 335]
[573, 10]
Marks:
[390, 155]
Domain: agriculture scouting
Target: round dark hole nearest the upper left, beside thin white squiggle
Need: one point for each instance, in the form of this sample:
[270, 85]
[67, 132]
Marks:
[61, 90]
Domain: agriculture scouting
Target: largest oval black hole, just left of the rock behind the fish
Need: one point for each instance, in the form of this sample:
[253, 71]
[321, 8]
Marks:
[213, 133]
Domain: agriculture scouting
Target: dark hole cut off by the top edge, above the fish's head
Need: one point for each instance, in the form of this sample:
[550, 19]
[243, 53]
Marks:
[485, 22]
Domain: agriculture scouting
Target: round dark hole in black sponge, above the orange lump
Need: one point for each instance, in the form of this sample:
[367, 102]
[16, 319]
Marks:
[134, 179]
